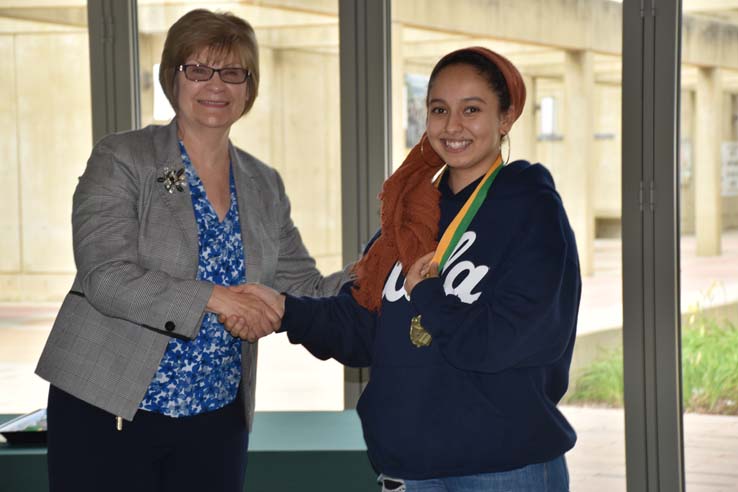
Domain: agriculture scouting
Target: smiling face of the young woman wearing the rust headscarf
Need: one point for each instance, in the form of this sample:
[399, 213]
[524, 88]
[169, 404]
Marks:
[464, 123]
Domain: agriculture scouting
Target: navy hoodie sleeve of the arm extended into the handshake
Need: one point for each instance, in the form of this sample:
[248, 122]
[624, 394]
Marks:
[334, 327]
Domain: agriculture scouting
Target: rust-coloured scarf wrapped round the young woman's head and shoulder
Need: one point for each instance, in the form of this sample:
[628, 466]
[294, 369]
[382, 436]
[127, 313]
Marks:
[410, 204]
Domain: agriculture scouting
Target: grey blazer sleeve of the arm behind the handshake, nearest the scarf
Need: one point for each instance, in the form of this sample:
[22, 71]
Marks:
[296, 271]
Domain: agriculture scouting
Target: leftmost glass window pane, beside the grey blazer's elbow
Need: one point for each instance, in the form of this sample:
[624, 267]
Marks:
[46, 136]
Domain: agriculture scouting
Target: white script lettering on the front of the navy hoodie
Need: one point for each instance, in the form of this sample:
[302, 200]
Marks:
[472, 274]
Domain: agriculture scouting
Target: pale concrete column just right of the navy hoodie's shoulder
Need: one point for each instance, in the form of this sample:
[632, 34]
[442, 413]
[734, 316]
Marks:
[575, 179]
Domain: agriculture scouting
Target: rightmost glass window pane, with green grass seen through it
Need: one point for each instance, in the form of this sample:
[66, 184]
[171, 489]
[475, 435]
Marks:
[709, 242]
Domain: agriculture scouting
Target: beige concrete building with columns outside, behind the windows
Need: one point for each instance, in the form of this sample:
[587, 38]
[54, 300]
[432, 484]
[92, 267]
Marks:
[569, 53]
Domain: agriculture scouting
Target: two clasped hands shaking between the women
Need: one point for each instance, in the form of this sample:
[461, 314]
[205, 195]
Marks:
[248, 311]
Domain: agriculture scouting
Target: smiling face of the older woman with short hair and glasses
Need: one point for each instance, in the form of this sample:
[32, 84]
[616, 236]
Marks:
[212, 104]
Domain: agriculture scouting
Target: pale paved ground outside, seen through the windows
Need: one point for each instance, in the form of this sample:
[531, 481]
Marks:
[288, 378]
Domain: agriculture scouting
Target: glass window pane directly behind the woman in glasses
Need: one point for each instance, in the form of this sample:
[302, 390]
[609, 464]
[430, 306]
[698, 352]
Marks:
[294, 127]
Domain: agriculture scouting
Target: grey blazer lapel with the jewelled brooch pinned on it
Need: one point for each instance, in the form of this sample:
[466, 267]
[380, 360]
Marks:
[168, 156]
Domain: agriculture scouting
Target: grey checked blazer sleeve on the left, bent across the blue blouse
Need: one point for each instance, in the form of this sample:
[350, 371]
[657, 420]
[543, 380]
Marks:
[105, 223]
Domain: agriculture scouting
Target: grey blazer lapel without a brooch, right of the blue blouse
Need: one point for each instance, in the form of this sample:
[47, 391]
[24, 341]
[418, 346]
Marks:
[253, 232]
